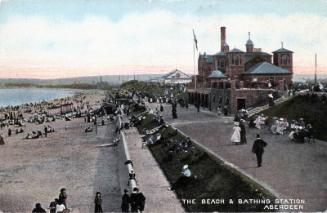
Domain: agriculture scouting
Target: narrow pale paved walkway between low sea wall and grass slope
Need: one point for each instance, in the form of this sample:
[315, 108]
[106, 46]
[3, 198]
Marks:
[151, 180]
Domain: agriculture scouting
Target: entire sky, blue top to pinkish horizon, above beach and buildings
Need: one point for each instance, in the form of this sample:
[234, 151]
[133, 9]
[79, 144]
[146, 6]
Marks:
[68, 38]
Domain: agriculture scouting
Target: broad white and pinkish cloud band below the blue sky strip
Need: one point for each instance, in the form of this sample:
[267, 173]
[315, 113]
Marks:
[155, 41]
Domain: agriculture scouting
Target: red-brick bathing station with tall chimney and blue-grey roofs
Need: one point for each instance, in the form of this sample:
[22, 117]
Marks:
[239, 79]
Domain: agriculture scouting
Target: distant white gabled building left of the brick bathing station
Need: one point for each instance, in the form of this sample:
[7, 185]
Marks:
[174, 77]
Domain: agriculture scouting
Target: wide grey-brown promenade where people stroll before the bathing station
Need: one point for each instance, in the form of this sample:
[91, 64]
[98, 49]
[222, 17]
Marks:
[290, 169]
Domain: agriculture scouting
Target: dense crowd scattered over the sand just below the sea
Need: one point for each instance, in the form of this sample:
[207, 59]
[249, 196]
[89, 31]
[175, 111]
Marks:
[13, 119]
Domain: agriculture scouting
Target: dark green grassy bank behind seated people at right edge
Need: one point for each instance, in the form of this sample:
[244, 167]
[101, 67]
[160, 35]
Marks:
[312, 108]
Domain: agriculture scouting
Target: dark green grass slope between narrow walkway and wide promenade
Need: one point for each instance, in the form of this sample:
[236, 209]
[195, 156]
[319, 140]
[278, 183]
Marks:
[214, 181]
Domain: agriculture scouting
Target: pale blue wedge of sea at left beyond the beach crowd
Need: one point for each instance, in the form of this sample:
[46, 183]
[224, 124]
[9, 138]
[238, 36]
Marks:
[18, 96]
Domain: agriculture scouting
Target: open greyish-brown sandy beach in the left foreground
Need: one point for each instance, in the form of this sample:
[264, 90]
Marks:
[34, 170]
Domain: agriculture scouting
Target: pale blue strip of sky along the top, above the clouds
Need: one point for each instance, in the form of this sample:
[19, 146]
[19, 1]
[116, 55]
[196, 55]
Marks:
[115, 9]
